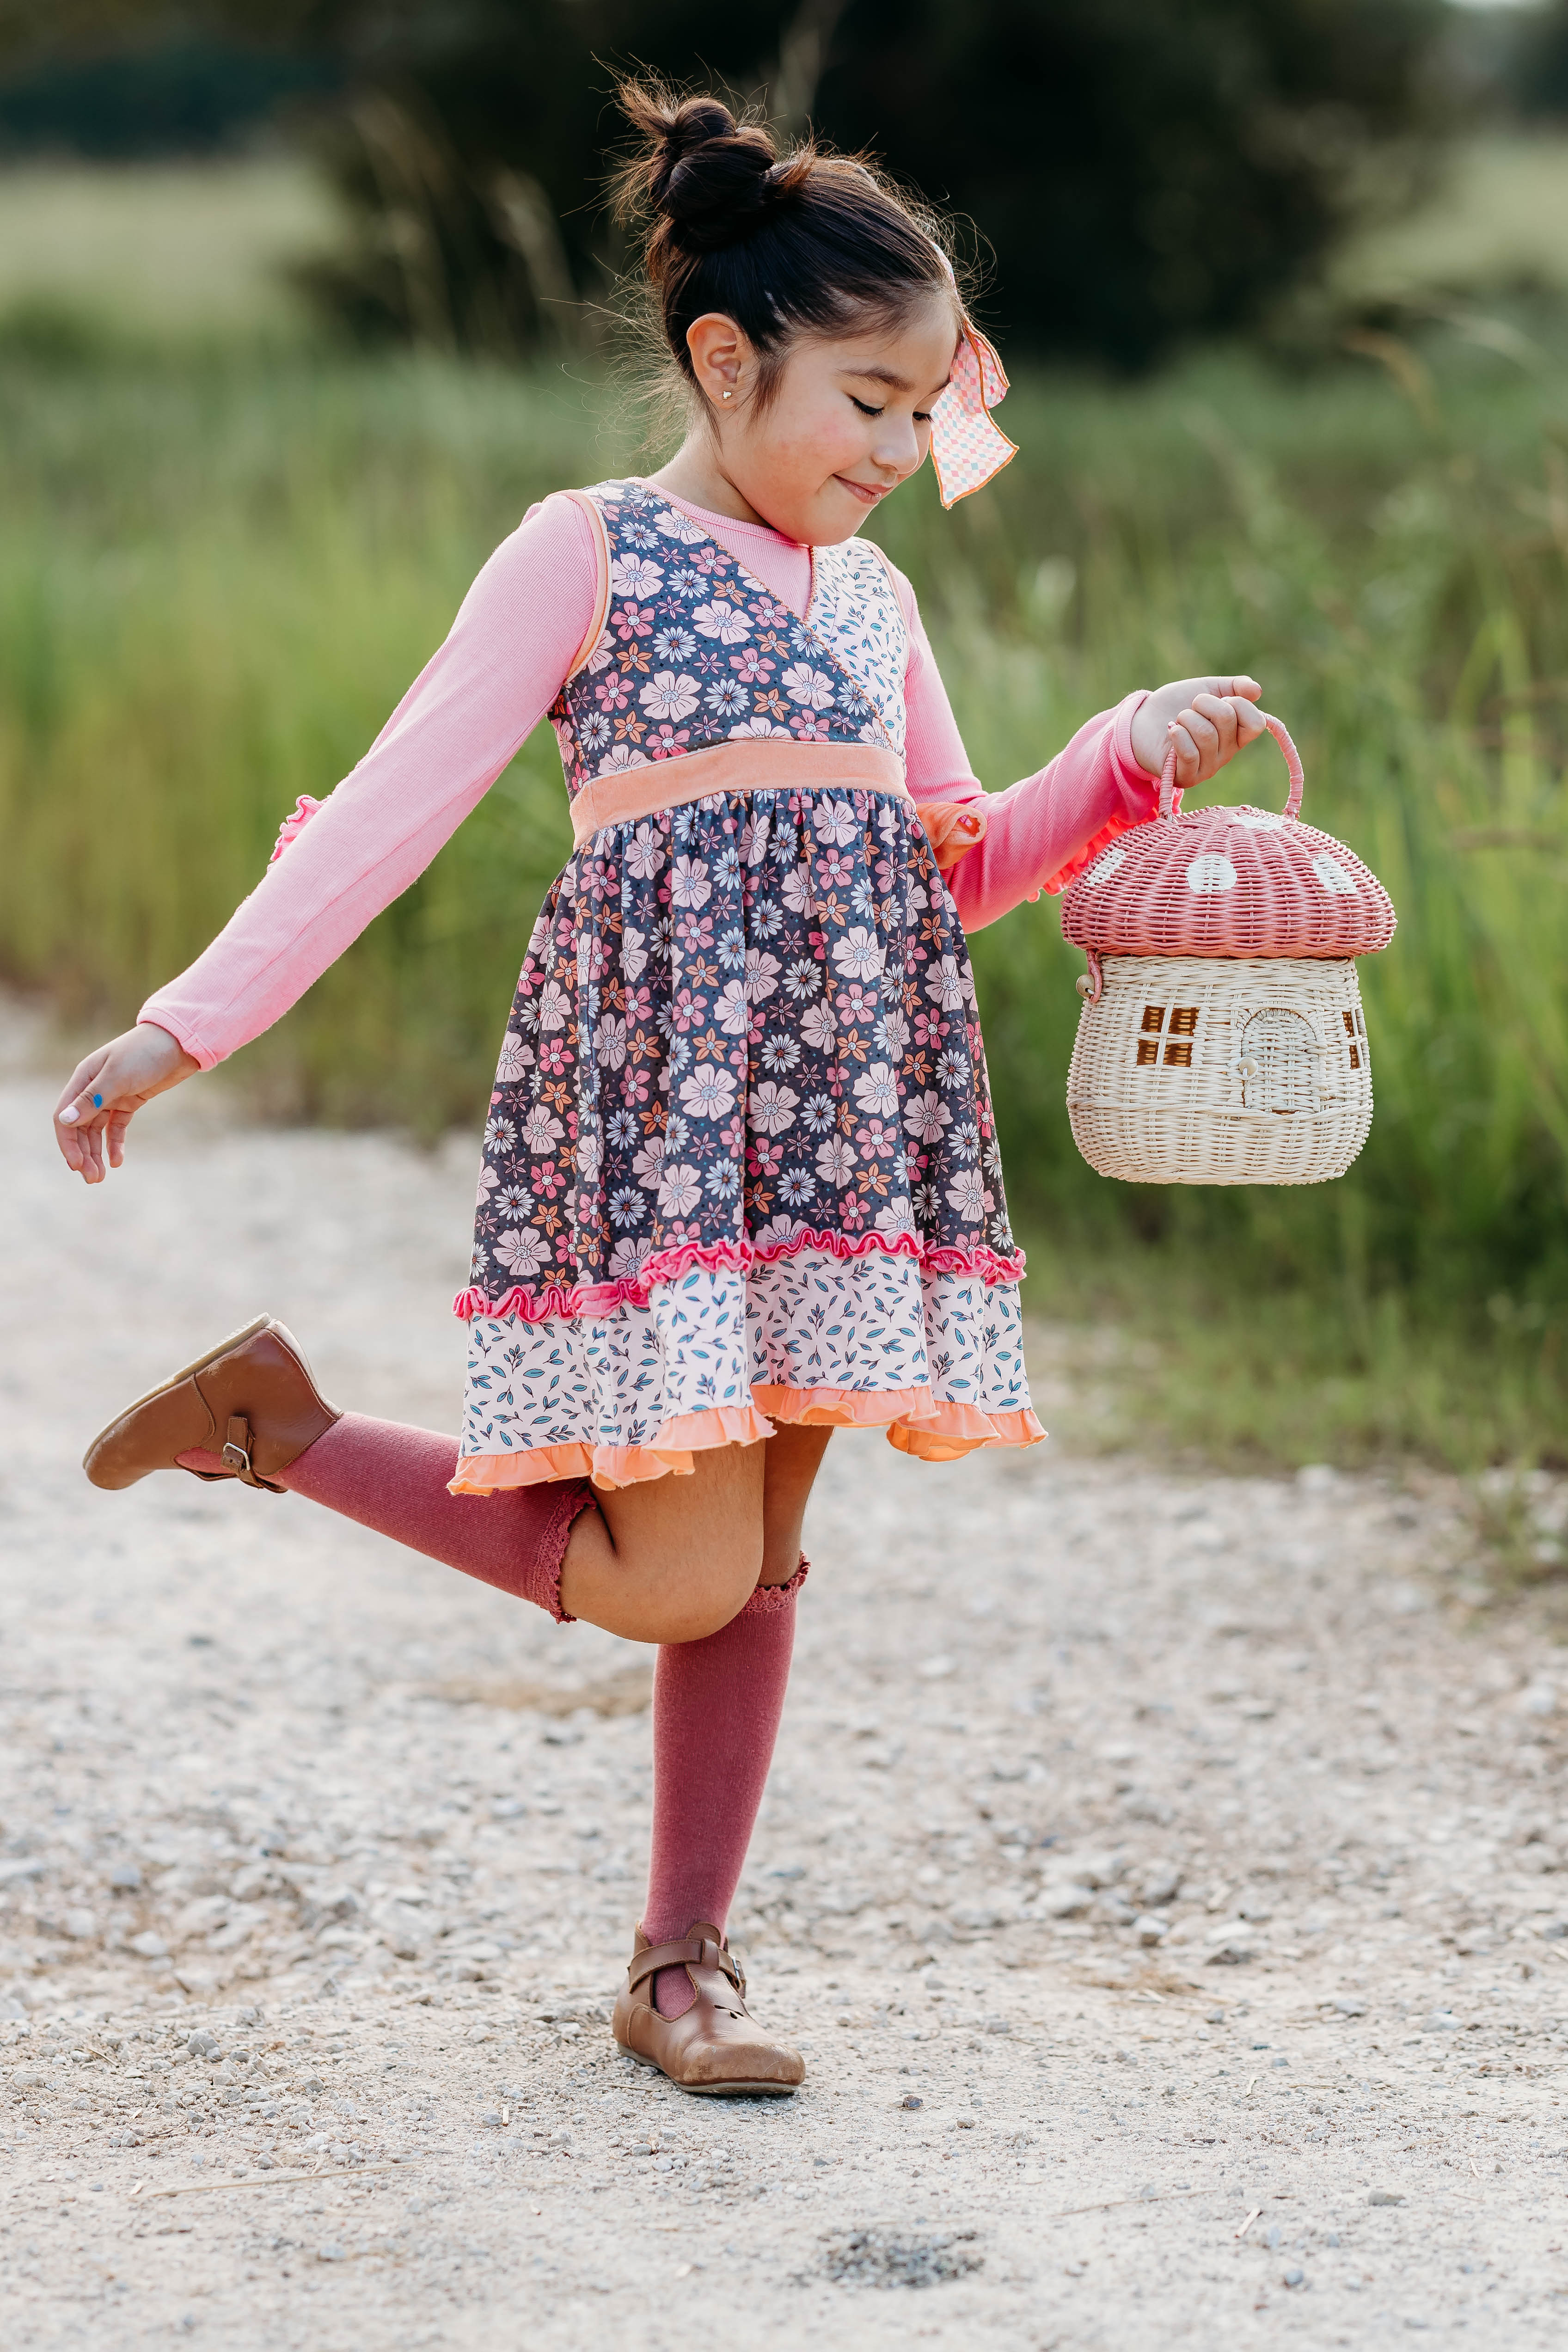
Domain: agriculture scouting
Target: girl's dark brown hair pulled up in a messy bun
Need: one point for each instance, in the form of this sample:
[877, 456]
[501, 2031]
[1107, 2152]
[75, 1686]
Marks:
[786, 246]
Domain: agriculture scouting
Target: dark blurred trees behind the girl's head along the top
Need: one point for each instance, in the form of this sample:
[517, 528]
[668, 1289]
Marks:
[1144, 171]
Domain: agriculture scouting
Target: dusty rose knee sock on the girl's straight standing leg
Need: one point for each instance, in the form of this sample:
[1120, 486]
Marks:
[716, 1720]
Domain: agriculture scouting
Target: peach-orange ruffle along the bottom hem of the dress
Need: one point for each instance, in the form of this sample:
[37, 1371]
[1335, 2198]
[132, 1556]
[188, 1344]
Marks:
[913, 1419]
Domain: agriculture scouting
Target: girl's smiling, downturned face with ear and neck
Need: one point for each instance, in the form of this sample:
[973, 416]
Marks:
[850, 422]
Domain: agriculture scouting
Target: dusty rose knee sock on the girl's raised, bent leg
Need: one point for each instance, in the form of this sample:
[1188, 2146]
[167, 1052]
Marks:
[394, 1478]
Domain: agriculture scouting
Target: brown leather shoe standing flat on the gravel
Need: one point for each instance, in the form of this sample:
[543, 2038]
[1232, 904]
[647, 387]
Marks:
[713, 2047]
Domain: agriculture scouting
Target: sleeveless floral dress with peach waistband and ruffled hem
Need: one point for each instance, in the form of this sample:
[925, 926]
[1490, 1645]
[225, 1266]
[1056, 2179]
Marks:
[742, 1163]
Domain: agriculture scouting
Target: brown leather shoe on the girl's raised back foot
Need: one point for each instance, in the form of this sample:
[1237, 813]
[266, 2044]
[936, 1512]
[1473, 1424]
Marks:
[250, 1398]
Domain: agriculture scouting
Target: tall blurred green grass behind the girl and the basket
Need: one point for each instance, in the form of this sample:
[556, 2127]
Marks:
[220, 575]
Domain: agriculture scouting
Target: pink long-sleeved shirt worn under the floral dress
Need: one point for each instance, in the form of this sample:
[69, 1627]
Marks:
[481, 697]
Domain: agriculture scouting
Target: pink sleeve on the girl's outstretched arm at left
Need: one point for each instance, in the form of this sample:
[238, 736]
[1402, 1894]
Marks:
[474, 704]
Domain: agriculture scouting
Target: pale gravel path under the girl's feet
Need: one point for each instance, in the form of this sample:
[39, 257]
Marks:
[1165, 1876]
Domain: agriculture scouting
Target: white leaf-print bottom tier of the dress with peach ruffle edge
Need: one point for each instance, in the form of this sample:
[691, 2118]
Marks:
[812, 1337]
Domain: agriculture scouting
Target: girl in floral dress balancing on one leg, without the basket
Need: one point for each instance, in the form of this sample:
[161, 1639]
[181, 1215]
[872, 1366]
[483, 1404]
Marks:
[742, 1177]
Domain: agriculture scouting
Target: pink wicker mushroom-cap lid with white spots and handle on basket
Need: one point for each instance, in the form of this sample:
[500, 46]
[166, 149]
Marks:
[1228, 883]
